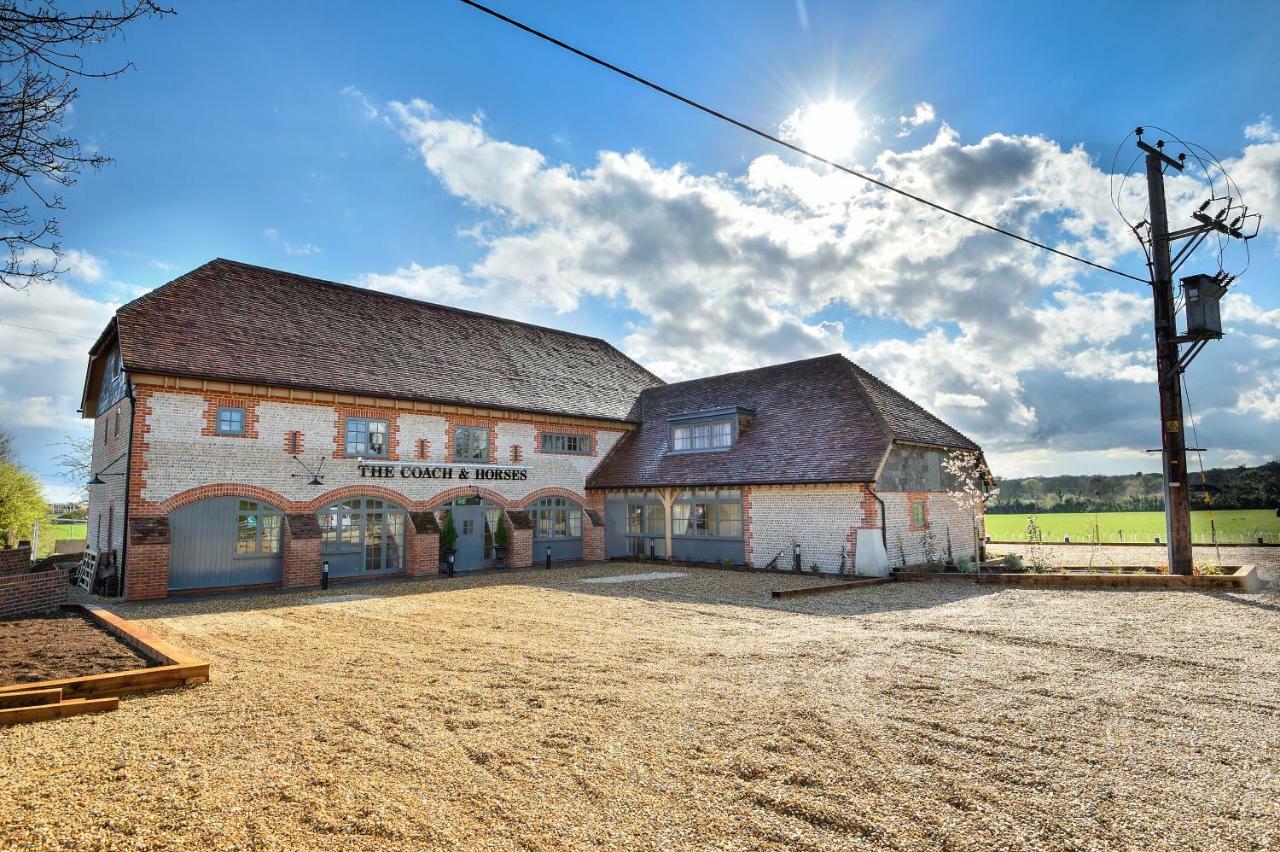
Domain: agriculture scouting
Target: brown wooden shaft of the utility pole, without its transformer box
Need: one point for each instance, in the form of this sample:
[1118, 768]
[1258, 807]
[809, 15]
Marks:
[1178, 507]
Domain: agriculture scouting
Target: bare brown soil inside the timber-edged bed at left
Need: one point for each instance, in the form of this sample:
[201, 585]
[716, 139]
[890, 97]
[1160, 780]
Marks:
[61, 645]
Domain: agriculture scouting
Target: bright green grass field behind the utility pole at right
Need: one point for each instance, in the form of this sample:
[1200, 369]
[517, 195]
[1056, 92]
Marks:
[1233, 525]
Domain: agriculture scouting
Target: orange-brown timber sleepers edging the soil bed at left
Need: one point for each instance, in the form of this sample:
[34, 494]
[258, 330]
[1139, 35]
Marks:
[177, 668]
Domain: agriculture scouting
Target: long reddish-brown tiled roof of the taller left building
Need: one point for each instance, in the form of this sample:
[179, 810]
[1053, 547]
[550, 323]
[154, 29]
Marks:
[241, 323]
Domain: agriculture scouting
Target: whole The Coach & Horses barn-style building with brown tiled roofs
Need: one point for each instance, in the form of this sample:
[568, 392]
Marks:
[253, 427]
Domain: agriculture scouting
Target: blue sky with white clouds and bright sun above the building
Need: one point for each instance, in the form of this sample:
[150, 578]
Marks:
[429, 150]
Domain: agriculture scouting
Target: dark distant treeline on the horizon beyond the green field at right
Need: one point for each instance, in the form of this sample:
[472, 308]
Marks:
[1229, 488]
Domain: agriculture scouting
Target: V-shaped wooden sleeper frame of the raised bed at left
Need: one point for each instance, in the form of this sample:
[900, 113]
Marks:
[98, 693]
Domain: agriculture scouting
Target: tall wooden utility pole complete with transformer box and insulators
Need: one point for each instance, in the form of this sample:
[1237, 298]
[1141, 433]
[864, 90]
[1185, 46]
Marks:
[1204, 324]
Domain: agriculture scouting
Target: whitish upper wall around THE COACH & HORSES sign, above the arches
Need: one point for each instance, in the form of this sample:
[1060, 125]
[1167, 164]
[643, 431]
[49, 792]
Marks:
[181, 459]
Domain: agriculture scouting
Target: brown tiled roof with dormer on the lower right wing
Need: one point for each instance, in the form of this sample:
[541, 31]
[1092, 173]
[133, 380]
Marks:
[822, 420]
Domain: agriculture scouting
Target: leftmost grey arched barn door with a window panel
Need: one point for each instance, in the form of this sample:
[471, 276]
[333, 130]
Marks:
[225, 542]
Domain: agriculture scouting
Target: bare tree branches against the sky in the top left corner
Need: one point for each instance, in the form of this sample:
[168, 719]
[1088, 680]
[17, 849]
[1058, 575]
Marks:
[40, 63]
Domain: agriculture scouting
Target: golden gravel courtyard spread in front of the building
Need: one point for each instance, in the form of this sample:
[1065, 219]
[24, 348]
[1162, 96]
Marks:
[536, 711]
